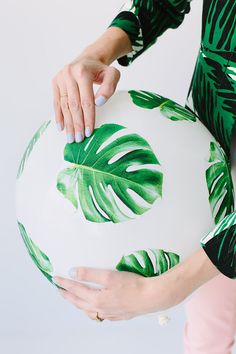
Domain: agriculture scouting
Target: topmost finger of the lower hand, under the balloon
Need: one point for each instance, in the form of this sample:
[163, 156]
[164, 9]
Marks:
[99, 276]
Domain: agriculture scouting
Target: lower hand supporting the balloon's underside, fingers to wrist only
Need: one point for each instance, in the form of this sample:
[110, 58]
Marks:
[123, 294]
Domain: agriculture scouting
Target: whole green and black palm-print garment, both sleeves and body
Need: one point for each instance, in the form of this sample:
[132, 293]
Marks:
[212, 91]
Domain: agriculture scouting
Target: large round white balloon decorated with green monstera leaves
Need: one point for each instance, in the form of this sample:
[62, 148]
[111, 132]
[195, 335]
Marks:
[146, 186]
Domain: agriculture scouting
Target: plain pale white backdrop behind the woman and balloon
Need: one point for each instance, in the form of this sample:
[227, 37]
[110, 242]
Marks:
[37, 39]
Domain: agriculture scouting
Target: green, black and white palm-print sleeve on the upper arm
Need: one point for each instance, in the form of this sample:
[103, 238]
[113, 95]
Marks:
[145, 20]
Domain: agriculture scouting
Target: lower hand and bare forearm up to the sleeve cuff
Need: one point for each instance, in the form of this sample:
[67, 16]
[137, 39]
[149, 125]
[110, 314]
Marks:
[123, 295]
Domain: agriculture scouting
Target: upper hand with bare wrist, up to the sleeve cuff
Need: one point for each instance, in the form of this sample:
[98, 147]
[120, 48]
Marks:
[73, 95]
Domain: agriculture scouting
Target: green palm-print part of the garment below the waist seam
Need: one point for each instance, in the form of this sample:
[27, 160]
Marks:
[213, 93]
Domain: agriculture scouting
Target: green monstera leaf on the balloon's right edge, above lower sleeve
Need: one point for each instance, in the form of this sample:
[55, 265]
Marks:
[219, 182]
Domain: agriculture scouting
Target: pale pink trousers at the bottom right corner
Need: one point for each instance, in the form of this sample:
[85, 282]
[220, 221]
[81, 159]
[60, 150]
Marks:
[211, 318]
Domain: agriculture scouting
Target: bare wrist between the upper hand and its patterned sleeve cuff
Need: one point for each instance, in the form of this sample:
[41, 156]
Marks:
[111, 45]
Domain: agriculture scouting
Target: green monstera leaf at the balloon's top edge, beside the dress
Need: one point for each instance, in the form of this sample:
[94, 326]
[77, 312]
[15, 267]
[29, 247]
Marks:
[169, 108]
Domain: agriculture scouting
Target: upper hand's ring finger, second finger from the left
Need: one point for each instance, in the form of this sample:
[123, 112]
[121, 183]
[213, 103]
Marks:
[66, 113]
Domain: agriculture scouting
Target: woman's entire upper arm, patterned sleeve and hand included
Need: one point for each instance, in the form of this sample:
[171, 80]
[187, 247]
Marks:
[134, 29]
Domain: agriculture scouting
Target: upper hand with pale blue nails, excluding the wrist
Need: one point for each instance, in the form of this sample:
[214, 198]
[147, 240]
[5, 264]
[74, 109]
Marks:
[74, 99]
